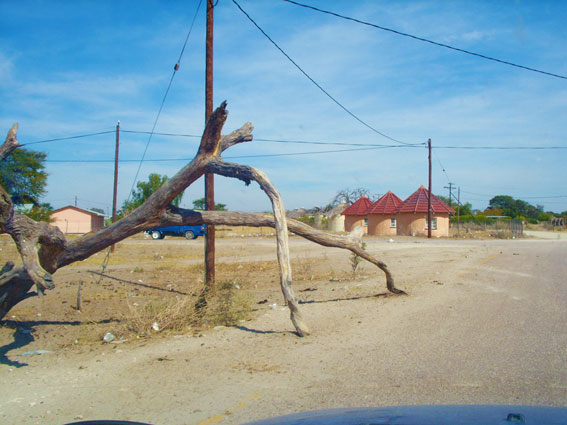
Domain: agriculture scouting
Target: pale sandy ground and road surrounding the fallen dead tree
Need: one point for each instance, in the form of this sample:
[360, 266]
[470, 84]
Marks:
[484, 322]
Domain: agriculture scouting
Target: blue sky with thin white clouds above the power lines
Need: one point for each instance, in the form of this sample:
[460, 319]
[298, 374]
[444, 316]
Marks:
[73, 68]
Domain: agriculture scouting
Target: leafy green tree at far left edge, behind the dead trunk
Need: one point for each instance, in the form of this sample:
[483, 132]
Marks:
[22, 175]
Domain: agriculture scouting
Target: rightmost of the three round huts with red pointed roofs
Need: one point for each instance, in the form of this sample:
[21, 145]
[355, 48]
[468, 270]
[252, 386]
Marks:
[412, 215]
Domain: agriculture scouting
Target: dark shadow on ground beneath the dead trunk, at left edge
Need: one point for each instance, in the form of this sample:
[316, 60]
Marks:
[23, 335]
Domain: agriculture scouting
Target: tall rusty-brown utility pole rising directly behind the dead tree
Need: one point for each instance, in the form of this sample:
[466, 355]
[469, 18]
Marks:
[209, 177]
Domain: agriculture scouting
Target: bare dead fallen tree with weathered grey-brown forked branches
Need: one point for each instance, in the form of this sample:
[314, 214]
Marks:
[44, 249]
